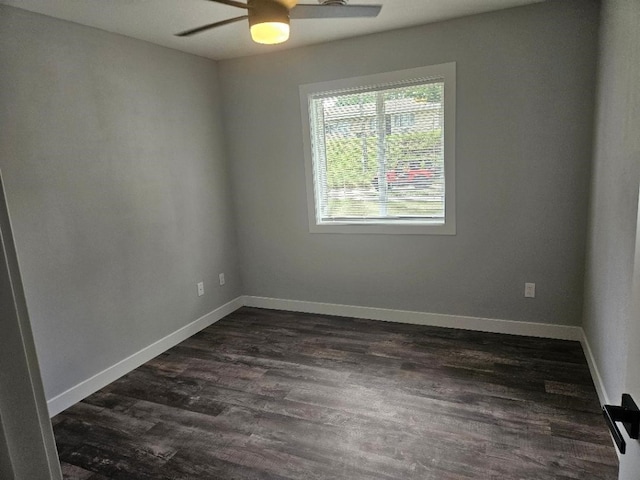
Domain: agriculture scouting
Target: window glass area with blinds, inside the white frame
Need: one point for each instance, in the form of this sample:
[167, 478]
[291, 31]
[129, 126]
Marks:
[379, 154]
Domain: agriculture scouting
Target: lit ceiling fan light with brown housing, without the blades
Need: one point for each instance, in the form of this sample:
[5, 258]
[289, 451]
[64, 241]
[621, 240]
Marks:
[268, 21]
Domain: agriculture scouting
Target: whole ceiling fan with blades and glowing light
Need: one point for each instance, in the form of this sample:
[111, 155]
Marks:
[269, 19]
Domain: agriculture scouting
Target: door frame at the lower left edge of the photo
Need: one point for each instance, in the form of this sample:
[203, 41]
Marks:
[26, 436]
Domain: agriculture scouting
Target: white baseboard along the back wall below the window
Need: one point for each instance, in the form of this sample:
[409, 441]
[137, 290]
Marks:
[531, 329]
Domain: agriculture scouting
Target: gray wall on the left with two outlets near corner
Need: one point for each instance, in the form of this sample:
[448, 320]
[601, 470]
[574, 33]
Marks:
[116, 179]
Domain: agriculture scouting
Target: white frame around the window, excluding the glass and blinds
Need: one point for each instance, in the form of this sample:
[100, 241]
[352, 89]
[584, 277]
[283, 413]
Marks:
[444, 72]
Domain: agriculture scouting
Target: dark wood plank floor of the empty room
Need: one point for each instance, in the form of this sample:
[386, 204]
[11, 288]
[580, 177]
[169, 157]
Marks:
[279, 395]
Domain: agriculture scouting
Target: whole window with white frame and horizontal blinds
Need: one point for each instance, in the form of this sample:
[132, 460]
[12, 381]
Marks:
[379, 152]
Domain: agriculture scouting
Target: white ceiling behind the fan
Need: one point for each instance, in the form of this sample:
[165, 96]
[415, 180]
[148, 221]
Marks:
[157, 21]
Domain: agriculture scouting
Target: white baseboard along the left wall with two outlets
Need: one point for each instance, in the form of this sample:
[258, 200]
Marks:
[100, 380]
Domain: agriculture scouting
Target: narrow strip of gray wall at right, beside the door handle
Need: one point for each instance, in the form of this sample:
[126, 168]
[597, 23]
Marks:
[614, 205]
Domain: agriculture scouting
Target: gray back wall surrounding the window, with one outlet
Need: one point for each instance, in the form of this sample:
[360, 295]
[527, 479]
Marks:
[525, 88]
